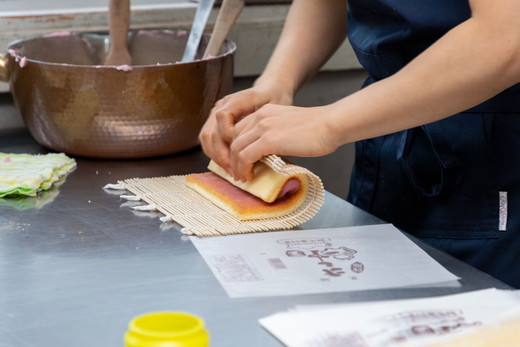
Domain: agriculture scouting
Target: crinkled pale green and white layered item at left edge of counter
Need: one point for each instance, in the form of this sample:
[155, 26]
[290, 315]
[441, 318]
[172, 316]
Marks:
[28, 174]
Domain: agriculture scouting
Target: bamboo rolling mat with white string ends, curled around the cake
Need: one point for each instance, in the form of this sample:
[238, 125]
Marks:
[199, 216]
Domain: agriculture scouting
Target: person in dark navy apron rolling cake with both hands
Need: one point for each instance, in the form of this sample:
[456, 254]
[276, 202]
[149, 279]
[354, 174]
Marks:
[436, 125]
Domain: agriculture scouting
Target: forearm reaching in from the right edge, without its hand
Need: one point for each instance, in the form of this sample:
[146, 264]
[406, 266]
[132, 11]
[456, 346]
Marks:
[470, 64]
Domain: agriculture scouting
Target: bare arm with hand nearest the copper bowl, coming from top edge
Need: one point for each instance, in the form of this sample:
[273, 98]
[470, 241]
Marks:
[314, 29]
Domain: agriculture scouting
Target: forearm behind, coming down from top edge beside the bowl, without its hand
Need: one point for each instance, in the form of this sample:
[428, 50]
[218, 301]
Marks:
[313, 31]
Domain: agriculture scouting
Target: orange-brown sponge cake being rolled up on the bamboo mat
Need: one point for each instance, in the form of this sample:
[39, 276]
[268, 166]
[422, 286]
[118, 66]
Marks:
[269, 195]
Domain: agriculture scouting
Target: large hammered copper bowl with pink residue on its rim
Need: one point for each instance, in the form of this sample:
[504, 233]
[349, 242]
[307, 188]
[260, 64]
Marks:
[71, 103]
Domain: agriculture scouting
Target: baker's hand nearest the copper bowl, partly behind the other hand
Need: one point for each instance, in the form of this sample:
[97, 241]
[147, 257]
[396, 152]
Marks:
[217, 133]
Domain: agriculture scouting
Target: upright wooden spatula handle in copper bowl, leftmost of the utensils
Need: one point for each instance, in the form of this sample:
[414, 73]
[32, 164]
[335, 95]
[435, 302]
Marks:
[119, 19]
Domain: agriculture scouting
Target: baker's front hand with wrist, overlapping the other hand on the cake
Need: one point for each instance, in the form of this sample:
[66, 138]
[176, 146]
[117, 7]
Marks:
[283, 130]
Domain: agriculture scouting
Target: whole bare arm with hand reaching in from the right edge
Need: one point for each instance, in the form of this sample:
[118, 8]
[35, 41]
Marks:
[473, 62]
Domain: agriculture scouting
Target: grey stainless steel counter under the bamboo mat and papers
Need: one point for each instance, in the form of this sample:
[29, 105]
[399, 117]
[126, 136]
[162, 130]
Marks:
[76, 267]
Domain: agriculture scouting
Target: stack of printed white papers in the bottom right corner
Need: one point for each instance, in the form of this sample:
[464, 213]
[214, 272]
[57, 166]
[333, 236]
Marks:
[412, 322]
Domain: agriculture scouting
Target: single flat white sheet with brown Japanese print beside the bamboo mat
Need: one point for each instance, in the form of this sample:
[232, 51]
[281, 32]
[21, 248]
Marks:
[318, 261]
